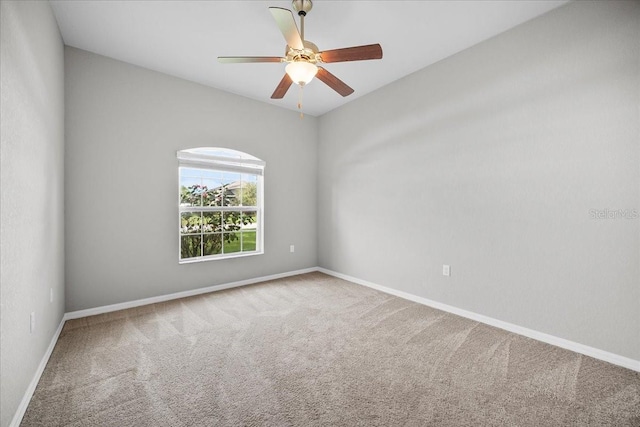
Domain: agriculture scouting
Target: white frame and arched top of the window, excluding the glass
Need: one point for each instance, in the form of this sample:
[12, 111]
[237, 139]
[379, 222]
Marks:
[232, 161]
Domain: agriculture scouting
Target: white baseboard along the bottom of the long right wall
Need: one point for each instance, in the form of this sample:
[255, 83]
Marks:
[596, 353]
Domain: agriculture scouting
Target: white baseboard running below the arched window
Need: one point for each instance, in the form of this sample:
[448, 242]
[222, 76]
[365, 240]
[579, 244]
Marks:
[162, 298]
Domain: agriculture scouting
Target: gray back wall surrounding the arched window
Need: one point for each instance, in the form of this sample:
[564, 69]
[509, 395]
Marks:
[124, 125]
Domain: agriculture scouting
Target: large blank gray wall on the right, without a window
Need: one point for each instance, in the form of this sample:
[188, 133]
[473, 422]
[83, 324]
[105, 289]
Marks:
[491, 161]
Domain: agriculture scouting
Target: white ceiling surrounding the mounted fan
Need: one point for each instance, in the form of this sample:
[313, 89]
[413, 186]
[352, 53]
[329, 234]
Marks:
[183, 38]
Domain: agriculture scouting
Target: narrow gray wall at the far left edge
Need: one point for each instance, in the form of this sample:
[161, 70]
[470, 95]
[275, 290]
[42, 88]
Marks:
[31, 196]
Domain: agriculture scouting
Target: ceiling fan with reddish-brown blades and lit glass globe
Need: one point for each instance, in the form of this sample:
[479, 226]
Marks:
[302, 56]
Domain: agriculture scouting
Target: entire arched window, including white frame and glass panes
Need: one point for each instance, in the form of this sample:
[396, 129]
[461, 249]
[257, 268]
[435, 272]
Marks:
[220, 204]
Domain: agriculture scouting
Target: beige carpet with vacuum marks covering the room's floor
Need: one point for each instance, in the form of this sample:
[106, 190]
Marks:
[313, 350]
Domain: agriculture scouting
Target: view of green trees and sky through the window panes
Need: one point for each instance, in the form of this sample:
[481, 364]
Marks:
[218, 212]
